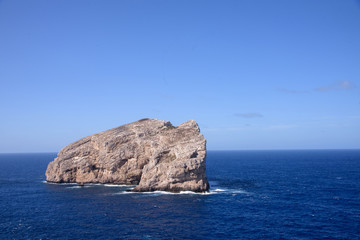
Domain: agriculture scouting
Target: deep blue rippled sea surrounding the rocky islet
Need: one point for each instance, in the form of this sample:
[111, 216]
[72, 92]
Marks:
[254, 195]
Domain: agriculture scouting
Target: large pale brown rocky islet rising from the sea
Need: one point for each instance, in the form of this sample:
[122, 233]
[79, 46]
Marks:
[150, 153]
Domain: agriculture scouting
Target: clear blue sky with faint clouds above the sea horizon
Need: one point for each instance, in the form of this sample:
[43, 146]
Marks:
[255, 75]
